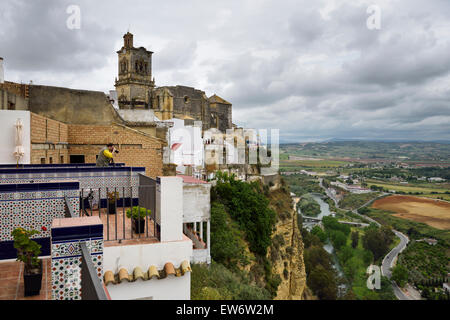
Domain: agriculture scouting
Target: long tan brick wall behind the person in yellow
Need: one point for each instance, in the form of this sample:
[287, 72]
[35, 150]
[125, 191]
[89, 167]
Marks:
[136, 149]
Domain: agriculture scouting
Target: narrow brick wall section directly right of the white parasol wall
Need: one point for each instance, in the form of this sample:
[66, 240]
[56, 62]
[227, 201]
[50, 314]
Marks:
[46, 138]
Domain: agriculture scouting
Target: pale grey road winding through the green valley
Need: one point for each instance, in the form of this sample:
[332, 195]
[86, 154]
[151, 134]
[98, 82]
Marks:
[391, 257]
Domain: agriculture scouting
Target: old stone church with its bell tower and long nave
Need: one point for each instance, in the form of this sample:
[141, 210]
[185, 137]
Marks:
[136, 90]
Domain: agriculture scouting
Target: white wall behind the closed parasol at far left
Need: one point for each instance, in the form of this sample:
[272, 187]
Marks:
[8, 120]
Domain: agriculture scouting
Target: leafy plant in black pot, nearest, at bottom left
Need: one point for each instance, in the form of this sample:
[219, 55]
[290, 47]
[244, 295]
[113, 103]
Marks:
[28, 252]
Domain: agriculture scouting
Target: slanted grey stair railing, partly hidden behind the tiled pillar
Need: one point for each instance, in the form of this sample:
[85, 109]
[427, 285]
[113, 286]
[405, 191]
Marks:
[91, 285]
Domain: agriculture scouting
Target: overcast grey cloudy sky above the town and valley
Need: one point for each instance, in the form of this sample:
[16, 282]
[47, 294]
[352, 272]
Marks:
[312, 69]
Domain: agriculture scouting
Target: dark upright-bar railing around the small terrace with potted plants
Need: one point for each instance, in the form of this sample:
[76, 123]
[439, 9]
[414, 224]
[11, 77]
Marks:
[114, 207]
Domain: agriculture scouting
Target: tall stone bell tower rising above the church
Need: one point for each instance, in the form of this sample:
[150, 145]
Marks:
[134, 84]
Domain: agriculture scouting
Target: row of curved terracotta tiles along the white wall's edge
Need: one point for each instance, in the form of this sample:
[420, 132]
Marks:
[152, 272]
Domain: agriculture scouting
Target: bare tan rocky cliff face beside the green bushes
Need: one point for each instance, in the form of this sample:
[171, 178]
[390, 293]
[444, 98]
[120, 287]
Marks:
[286, 252]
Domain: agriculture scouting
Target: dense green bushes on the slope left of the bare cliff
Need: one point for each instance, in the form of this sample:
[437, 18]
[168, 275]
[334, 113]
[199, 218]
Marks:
[241, 227]
